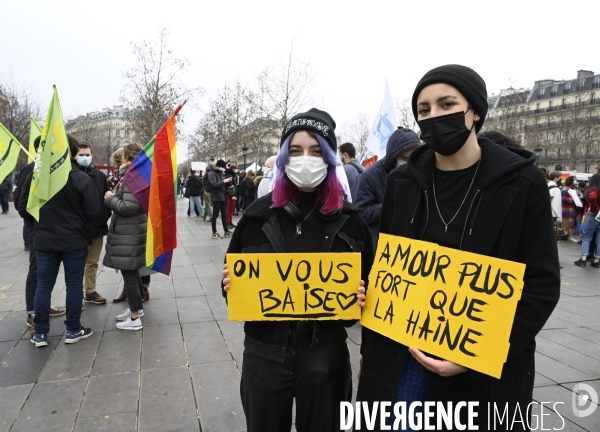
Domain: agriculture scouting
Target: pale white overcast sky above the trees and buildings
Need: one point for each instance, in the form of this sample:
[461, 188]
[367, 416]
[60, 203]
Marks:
[84, 47]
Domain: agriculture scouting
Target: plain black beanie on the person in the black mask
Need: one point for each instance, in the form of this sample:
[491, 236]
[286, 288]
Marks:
[465, 80]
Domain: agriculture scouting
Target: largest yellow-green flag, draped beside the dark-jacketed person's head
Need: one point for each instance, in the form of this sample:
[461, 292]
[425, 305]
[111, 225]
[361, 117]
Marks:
[53, 160]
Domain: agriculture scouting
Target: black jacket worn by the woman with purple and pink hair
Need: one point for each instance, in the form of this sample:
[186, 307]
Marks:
[259, 231]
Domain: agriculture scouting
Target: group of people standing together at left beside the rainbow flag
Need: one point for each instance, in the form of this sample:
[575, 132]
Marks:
[71, 230]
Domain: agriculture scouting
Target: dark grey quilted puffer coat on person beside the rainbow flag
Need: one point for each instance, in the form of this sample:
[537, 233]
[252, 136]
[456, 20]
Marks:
[126, 243]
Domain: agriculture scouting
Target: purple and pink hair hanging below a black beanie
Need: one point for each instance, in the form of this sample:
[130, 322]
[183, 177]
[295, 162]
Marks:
[330, 191]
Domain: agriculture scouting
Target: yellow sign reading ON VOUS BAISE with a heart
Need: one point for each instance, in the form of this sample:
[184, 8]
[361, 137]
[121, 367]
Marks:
[293, 286]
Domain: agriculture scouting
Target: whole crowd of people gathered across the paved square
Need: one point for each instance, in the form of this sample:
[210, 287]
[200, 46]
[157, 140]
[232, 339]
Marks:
[450, 185]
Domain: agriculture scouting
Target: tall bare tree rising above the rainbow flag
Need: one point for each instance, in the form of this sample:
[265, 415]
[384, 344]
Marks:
[154, 86]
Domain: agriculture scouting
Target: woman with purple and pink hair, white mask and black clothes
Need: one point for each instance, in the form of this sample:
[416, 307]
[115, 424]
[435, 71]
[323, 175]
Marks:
[306, 212]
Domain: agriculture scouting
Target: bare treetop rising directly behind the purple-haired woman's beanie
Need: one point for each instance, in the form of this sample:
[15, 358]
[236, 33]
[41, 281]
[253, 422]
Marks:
[285, 88]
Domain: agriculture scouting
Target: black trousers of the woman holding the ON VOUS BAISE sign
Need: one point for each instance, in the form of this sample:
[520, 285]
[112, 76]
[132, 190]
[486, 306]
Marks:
[319, 379]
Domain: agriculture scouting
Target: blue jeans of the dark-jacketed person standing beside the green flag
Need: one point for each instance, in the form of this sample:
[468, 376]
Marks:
[48, 266]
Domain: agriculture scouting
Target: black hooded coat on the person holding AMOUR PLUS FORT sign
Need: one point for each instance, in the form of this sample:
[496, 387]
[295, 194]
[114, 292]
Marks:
[508, 218]
